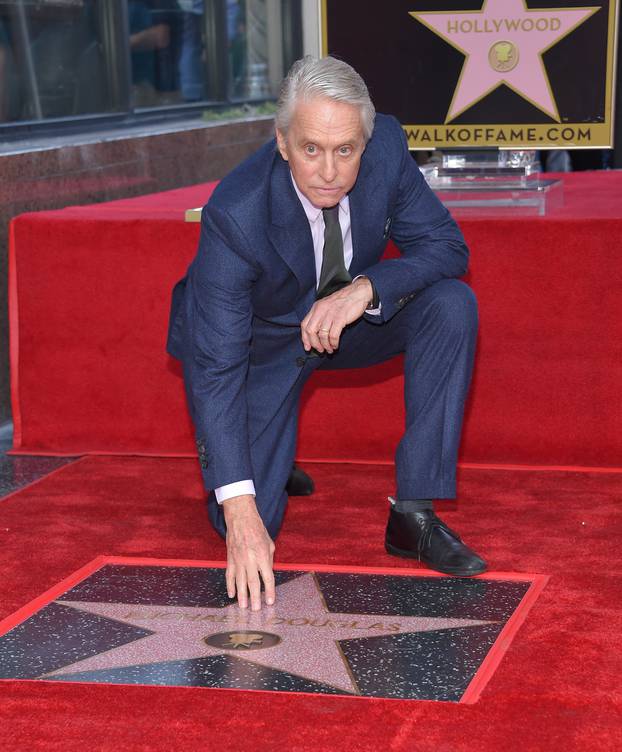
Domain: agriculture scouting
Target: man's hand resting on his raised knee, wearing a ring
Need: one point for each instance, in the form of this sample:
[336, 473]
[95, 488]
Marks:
[322, 326]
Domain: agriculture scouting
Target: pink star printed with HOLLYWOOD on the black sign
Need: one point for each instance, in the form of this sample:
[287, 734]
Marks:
[503, 43]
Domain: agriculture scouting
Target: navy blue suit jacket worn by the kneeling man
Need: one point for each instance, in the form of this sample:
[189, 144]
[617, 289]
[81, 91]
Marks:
[237, 313]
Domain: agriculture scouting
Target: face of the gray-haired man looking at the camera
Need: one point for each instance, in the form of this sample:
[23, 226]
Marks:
[324, 146]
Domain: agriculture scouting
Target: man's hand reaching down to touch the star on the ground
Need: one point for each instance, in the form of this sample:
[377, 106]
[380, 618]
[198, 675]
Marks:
[250, 552]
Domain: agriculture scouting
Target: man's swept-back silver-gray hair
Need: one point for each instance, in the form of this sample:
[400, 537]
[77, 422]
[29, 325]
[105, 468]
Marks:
[326, 77]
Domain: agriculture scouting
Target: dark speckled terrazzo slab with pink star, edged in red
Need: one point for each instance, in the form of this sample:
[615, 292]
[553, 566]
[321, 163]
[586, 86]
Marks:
[396, 633]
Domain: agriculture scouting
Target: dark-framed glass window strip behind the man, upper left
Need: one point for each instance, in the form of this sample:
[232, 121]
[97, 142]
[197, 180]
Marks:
[71, 58]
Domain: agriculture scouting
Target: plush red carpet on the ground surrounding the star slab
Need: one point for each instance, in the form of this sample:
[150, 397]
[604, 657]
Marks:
[557, 687]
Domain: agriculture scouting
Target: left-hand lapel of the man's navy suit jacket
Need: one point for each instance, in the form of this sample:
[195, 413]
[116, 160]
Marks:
[291, 235]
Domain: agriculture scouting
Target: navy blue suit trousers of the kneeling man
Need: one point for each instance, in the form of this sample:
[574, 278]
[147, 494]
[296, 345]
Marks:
[436, 331]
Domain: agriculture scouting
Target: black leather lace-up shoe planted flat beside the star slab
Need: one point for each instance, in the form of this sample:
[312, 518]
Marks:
[423, 536]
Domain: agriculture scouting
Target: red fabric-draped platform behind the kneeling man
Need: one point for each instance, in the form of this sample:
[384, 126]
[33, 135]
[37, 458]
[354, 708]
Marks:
[89, 300]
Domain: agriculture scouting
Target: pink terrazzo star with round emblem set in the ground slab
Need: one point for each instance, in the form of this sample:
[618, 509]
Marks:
[303, 636]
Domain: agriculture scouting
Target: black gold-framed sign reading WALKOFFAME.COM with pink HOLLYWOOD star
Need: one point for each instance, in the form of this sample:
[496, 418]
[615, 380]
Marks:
[484, 73]
